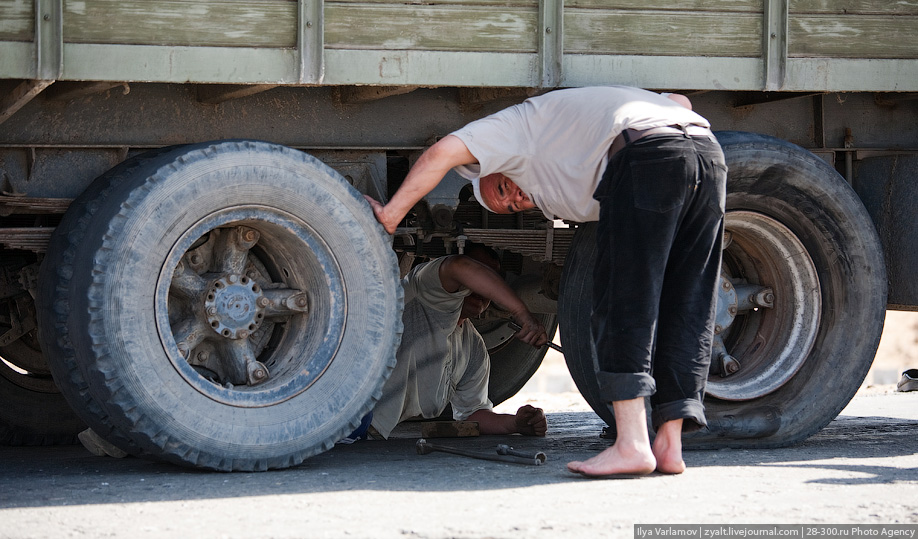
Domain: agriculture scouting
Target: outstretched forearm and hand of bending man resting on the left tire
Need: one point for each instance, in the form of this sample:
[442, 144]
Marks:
[426, 173]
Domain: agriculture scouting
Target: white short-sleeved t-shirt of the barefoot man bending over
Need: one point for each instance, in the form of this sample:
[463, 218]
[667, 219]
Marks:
[556, 146]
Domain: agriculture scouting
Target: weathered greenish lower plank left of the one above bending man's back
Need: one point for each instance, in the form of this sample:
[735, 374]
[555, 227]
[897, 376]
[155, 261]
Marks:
[430, 27]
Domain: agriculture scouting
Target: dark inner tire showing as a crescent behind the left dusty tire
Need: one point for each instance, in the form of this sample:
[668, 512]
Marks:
[56, 294]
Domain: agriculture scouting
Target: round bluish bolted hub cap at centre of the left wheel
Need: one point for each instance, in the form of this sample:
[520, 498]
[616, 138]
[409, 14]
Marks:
[235, 306]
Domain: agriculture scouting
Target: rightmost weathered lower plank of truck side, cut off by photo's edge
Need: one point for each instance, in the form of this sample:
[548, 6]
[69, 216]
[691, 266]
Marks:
[861, 36]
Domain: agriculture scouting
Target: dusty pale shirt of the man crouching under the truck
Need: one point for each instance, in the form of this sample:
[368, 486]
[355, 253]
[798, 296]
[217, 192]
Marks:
[438, 362]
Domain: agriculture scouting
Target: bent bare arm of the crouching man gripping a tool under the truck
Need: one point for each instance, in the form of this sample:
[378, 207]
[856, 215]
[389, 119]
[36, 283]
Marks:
[462, 271]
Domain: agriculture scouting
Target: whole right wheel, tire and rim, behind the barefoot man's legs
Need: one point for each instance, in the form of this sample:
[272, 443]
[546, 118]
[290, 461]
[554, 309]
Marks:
[802, 359]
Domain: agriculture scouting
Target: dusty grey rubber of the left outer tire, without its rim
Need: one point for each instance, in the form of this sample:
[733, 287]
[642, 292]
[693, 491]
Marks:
[164, 412]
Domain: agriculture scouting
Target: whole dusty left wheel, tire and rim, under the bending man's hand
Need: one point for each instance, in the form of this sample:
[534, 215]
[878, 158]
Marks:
[244, 306]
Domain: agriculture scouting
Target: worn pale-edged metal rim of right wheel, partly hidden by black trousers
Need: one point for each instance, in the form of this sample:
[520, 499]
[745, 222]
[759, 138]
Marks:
[768, 311]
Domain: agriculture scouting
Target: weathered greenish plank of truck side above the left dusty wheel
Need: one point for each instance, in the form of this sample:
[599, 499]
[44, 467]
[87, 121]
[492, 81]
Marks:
[226, 23]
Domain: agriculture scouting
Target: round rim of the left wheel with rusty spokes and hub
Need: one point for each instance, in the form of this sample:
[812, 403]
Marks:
[250, 306]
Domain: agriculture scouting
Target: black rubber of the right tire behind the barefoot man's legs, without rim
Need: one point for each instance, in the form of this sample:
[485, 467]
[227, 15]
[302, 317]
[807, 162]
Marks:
[793, 187]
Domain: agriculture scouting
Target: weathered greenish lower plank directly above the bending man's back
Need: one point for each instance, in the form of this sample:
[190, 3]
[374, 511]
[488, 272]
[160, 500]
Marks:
[663, 33]
